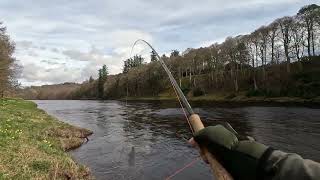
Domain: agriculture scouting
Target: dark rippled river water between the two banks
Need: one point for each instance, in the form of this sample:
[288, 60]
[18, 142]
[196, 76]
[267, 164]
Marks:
[147, 140]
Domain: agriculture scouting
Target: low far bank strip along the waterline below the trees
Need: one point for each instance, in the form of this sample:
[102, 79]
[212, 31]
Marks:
[234, 99]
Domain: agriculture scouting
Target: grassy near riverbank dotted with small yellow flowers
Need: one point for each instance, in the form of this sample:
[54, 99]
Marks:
[33, 144]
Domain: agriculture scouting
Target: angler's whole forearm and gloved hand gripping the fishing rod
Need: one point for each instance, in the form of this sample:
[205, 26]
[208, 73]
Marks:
[246, 159]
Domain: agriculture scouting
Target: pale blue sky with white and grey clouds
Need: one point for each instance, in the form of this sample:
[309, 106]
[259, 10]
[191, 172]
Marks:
[61, 41]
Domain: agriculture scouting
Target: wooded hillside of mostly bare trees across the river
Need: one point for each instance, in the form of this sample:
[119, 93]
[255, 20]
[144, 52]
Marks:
[280, 59]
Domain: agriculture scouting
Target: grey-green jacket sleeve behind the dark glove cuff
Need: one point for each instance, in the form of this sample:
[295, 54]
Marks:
[280, 165]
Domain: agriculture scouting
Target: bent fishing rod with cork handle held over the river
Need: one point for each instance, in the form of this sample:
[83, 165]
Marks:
[193, 119]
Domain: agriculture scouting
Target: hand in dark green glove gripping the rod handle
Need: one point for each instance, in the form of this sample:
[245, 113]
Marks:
[241, 158]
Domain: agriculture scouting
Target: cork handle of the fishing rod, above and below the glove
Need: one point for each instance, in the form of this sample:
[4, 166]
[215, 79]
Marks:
[219, 172]
